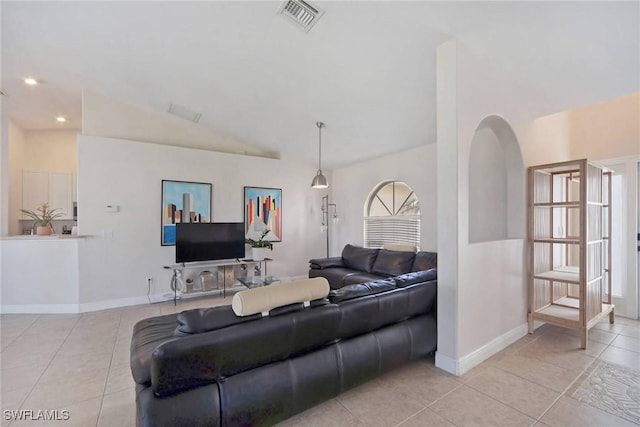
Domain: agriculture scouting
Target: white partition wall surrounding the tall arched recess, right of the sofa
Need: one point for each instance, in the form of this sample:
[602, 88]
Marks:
[485, 282]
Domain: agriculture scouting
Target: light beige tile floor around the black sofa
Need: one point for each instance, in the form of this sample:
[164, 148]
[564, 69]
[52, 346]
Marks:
[80, 363]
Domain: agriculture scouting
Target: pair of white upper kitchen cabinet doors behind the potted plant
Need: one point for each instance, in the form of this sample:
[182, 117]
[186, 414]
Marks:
[54, 188]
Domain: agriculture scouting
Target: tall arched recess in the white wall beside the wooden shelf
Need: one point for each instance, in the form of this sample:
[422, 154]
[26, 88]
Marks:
[496, 183]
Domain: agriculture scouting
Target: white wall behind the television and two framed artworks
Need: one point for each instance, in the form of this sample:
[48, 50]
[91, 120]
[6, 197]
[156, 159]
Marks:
[113, 270]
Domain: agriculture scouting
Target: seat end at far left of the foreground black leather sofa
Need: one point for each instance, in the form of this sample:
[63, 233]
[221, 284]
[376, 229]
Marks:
[147, 335]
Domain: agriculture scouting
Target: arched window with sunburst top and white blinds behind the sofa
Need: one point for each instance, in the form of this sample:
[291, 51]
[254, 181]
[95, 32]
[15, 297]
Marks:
[392, 216]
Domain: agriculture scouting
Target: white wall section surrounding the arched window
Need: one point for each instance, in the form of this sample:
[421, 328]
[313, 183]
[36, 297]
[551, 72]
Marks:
[350, 186]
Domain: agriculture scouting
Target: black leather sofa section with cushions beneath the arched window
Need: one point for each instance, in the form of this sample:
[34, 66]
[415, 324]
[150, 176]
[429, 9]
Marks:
[360, 265]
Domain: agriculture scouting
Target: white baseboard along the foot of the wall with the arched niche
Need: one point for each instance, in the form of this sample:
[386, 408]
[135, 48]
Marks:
[473, 359]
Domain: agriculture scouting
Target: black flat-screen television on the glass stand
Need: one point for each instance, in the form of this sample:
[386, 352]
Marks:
[209, 241]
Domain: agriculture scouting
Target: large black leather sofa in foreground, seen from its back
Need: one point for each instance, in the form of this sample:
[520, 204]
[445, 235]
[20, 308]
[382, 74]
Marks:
[210, 367]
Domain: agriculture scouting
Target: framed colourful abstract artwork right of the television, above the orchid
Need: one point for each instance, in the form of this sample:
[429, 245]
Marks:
[263, 210]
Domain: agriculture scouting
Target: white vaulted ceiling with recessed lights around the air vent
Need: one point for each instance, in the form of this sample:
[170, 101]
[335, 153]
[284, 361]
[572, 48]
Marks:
[366, 69]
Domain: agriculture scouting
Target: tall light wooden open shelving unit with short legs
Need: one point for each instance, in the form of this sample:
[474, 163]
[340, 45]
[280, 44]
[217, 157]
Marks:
[569, 229]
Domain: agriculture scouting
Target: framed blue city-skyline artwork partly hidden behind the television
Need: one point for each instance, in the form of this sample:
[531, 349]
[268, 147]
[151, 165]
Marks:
[175, 194]
